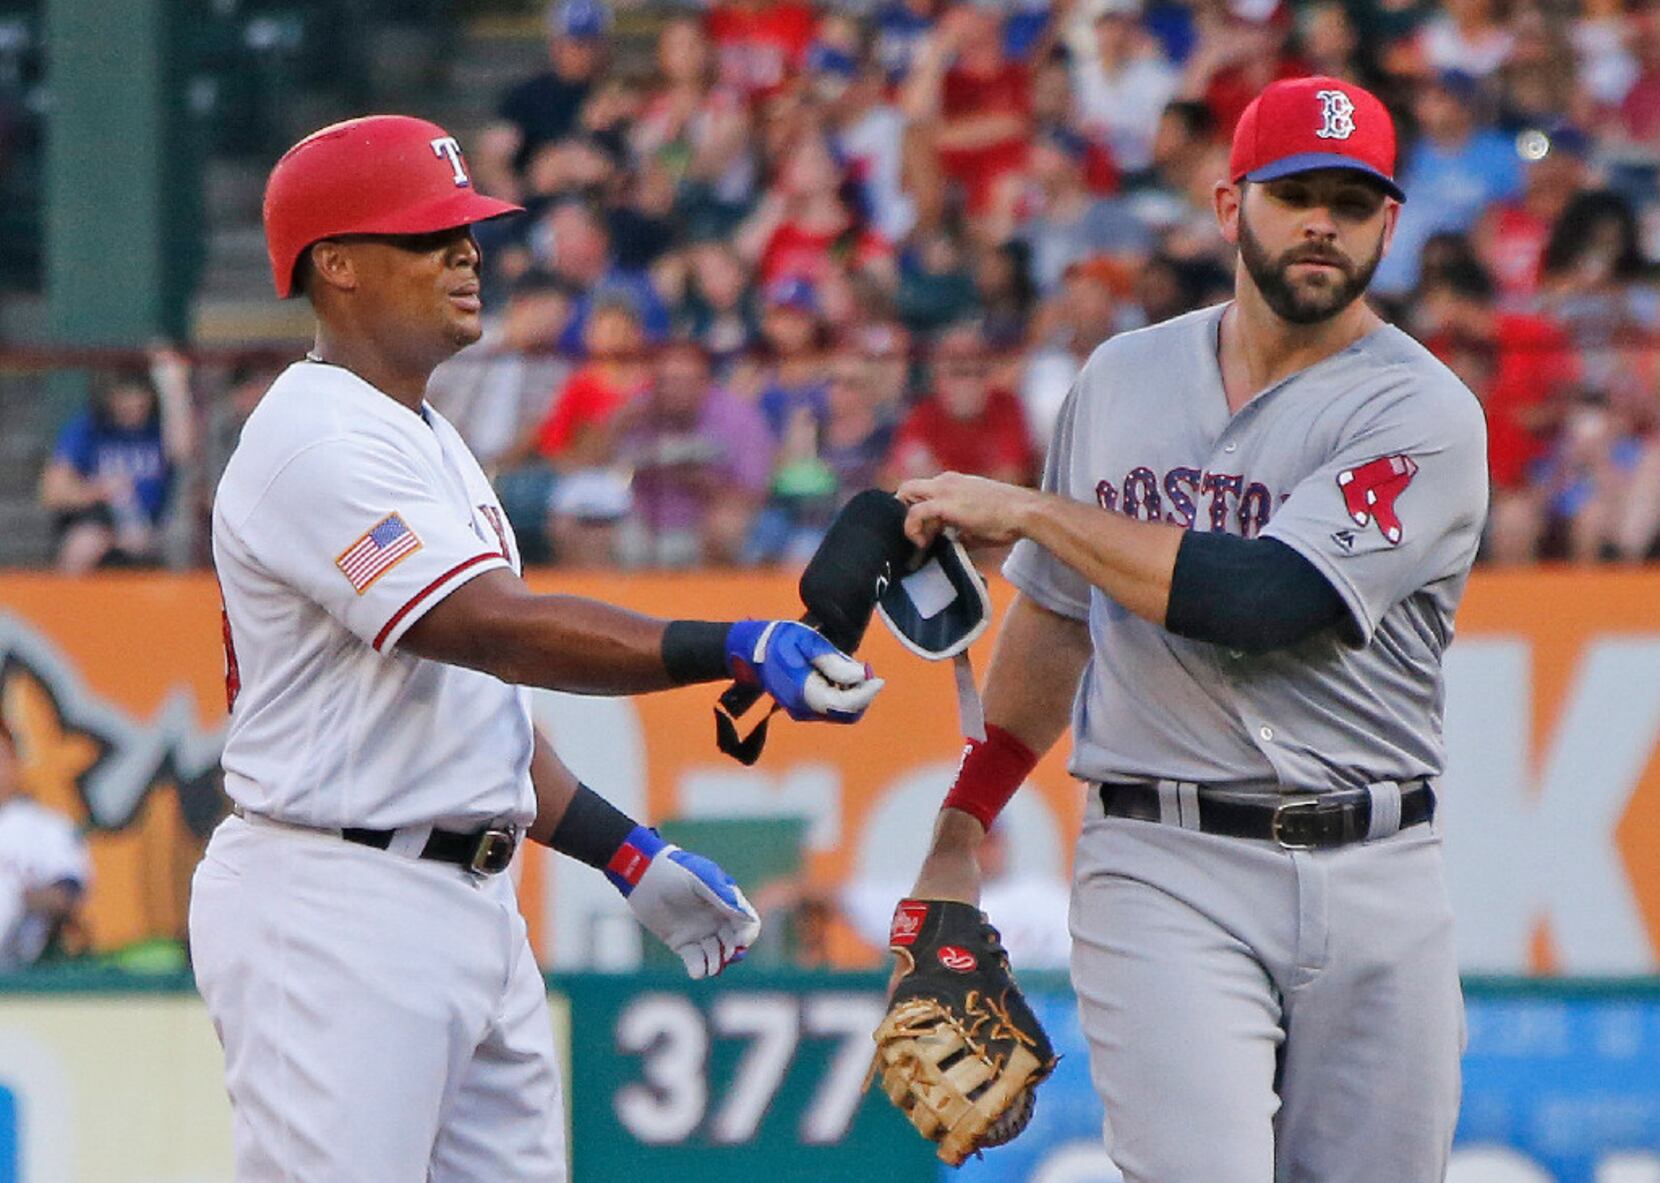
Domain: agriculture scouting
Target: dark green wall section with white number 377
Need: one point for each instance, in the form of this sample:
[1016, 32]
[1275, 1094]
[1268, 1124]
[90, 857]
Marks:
[725, 1083]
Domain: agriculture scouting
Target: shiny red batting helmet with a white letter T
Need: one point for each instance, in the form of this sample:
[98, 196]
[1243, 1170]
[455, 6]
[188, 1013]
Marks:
[378, 175]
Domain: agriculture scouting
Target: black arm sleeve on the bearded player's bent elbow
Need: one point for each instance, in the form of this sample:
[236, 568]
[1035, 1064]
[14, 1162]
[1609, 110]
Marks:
[1254, 595]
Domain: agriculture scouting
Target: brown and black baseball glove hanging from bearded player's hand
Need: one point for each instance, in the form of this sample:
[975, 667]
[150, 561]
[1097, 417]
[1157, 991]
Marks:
[960, 1053]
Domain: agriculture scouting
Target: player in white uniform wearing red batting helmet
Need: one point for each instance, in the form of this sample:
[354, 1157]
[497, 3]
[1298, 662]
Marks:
[359, 950]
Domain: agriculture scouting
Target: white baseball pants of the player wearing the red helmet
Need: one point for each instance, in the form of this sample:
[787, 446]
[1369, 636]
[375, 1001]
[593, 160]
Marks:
[383, 1018]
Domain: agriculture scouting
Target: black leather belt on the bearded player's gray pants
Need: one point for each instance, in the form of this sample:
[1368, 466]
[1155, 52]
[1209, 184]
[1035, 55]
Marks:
[1297, 822]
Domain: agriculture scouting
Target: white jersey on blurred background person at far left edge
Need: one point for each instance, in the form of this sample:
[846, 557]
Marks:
[39, 849]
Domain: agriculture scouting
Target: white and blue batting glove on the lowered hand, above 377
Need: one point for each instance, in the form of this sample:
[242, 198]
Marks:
[686, 902]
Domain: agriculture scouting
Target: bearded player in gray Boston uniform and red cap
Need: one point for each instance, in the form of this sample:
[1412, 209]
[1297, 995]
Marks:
[1241, 577]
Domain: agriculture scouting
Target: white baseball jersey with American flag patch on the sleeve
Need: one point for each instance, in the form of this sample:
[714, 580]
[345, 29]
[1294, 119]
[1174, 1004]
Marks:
[341, 520]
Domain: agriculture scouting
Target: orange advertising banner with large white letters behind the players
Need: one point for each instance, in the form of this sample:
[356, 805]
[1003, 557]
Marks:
[115, 688]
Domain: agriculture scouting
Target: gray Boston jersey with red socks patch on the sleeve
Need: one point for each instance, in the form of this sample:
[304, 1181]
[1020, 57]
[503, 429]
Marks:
[1370, 464]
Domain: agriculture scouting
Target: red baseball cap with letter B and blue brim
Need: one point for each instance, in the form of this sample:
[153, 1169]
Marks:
[1314, 124]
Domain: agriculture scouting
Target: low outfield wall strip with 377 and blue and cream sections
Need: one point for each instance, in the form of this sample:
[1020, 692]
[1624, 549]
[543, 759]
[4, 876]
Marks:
[758, 1078]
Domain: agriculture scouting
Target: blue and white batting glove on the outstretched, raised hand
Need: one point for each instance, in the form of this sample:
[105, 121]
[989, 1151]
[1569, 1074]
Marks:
[804, 673]
